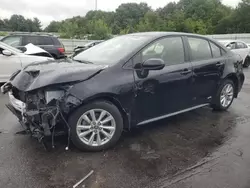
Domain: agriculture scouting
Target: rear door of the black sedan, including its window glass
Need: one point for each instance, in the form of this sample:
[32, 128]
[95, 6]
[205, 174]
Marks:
[208, 64]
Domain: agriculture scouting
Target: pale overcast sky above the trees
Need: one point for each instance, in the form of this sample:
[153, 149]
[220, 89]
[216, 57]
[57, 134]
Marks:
[48, 10]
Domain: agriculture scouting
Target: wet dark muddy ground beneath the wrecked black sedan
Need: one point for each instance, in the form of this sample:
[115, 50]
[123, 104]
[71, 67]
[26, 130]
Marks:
[170, 153]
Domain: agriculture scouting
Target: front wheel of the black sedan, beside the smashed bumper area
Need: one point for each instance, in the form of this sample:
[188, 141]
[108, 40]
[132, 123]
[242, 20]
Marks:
[96, 126]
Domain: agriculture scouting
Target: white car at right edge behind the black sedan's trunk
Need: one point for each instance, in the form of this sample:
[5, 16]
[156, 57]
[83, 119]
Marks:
[240, 48]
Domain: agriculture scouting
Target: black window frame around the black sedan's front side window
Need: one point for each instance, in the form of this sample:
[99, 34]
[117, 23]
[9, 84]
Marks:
[185, 50]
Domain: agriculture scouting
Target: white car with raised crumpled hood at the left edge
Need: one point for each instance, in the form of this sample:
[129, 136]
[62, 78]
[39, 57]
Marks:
[12, 59]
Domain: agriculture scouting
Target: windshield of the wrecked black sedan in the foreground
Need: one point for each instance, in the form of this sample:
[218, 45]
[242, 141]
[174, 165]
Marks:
[111, 51]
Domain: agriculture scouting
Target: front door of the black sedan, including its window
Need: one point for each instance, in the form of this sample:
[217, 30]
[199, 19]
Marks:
[160, 92]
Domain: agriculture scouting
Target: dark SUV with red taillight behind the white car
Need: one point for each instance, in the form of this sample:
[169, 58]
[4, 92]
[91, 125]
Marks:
[47, 42]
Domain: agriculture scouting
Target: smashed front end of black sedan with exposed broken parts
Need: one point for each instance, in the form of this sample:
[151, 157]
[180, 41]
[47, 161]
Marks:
[42, 112]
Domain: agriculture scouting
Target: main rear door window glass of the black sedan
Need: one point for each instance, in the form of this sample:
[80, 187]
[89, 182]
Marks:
[200, 49]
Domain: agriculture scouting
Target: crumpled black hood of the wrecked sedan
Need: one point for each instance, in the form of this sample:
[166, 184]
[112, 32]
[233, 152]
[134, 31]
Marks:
[38, 75]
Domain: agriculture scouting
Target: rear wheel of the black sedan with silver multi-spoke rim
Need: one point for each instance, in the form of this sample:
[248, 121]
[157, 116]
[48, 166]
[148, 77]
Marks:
[224, 96]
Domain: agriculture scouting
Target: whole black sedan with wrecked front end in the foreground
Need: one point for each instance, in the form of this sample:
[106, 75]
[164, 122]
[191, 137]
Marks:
[126, 81]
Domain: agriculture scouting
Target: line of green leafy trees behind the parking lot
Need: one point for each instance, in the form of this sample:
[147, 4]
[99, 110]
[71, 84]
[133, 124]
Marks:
[193, 16]
